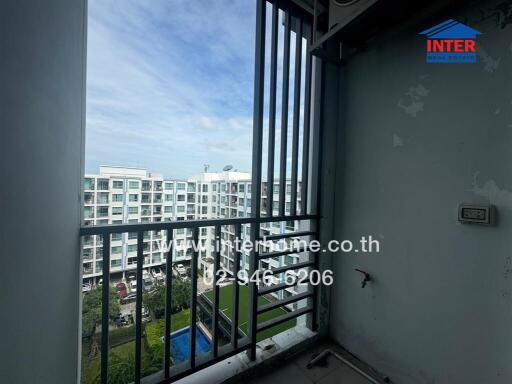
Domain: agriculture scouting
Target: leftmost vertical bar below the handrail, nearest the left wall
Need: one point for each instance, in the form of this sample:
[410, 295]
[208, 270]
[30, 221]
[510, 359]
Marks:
[105, 292]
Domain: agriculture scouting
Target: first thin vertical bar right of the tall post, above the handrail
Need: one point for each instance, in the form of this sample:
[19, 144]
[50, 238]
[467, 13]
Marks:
[272, 111]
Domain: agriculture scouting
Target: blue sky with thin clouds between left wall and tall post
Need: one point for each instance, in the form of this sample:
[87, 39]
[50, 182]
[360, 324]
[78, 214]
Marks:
[170, 84]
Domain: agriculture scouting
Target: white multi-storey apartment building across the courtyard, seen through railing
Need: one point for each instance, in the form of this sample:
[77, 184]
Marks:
[133, 195]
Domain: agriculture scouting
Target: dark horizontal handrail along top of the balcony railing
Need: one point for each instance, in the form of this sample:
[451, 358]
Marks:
[157, 226]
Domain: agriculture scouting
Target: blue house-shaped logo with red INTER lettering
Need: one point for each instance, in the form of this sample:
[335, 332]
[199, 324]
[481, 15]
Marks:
[451, 42]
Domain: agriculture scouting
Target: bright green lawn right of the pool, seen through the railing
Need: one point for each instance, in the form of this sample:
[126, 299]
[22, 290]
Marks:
[225, 305]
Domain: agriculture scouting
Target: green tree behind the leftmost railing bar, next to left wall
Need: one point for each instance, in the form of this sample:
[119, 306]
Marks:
[91, 308]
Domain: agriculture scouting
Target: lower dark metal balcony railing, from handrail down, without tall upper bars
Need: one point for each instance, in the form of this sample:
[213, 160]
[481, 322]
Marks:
[218, 353]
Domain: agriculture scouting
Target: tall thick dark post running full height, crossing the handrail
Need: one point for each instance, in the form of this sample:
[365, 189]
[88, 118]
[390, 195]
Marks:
[256, 165]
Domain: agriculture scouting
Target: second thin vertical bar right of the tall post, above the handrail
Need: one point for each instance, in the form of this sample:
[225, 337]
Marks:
[284, 114]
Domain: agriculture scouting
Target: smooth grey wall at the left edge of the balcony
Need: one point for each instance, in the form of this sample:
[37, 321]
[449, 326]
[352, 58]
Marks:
[41, 143]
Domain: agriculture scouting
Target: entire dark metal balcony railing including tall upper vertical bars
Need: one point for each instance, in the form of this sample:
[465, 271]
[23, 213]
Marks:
[299, 23]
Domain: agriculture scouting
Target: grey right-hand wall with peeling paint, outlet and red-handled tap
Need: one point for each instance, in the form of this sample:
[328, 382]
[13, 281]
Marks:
[417, 140]
